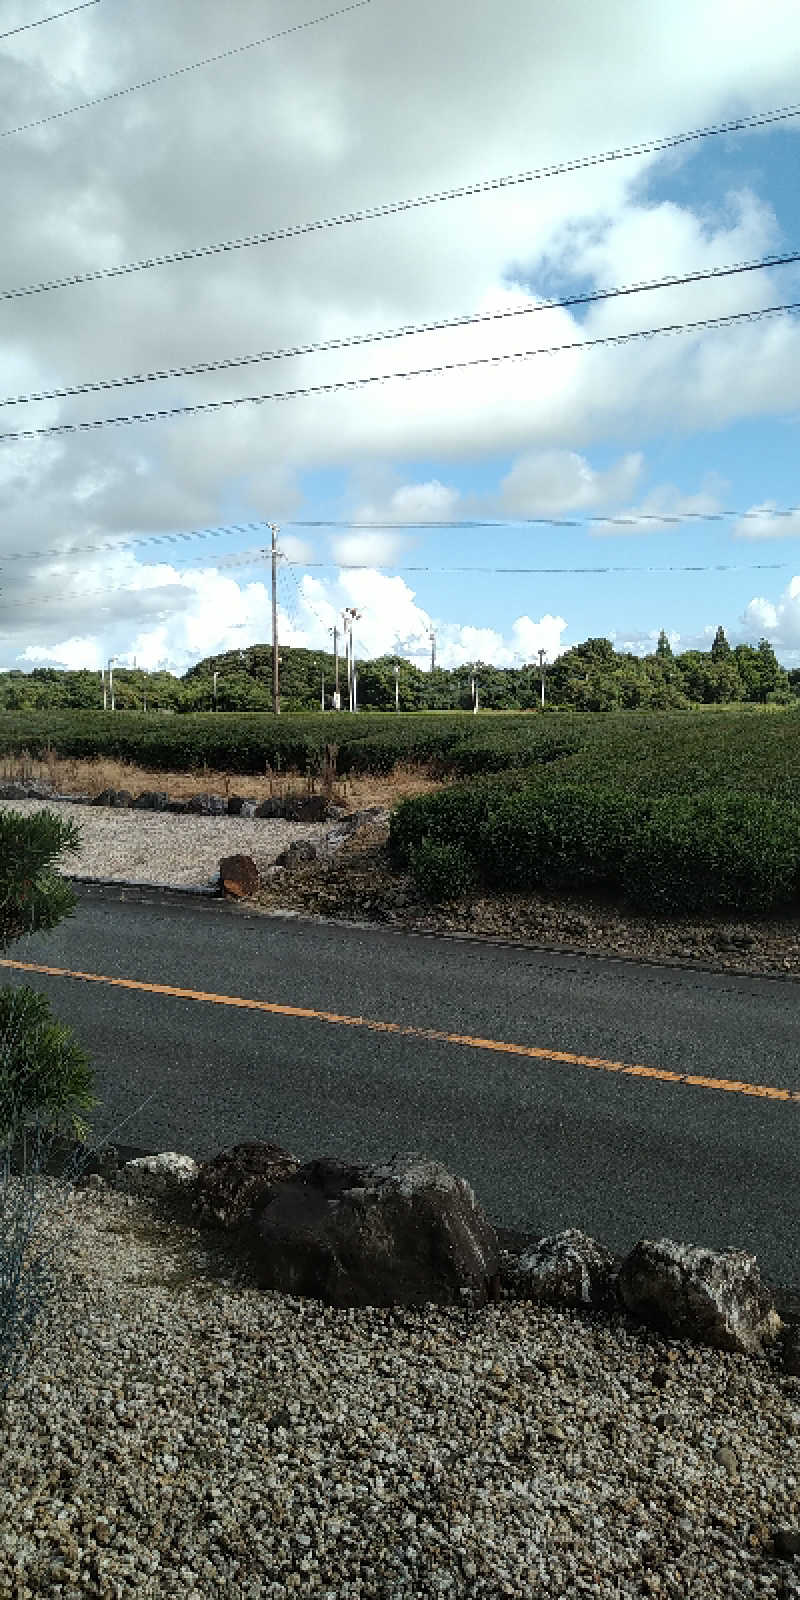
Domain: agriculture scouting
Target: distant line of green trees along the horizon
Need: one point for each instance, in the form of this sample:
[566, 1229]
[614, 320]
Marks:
[586, 678]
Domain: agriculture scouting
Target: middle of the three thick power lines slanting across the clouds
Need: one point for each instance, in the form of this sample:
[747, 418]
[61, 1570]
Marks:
[228, 362]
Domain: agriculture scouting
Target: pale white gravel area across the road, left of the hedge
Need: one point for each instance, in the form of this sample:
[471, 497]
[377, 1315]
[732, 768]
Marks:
[162, 847]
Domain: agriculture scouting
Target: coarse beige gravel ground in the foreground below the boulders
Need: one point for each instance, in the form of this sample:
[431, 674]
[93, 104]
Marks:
[177, 1433]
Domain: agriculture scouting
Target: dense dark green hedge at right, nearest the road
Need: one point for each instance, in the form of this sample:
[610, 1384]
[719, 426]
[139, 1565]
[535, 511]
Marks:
[674, 852]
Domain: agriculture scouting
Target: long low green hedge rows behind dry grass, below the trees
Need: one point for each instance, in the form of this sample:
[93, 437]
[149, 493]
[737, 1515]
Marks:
[671, 753]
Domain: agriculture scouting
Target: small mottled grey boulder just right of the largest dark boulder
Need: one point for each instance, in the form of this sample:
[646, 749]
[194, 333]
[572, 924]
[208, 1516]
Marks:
[564, 1270]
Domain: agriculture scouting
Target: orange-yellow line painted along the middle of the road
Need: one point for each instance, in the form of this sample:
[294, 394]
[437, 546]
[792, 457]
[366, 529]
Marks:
[407, 1031]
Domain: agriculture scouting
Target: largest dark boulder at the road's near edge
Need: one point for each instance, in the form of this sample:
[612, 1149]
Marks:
[402, 1234]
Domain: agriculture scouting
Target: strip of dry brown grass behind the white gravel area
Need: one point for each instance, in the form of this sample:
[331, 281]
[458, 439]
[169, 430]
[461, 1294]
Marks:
[90, 778]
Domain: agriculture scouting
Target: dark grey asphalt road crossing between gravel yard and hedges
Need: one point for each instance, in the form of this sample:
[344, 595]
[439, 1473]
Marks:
[545, 1143]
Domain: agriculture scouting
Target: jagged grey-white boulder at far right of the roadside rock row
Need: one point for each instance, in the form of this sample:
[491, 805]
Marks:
[710, 1297]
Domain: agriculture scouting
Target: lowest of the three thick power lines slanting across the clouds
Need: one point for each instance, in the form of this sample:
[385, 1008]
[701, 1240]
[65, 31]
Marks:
[382, 378]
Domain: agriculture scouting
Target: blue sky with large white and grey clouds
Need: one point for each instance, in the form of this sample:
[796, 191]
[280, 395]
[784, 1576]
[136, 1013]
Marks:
[378, 105]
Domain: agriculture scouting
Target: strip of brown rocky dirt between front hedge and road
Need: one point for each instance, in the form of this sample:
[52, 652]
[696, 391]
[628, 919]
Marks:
[361, 886]
